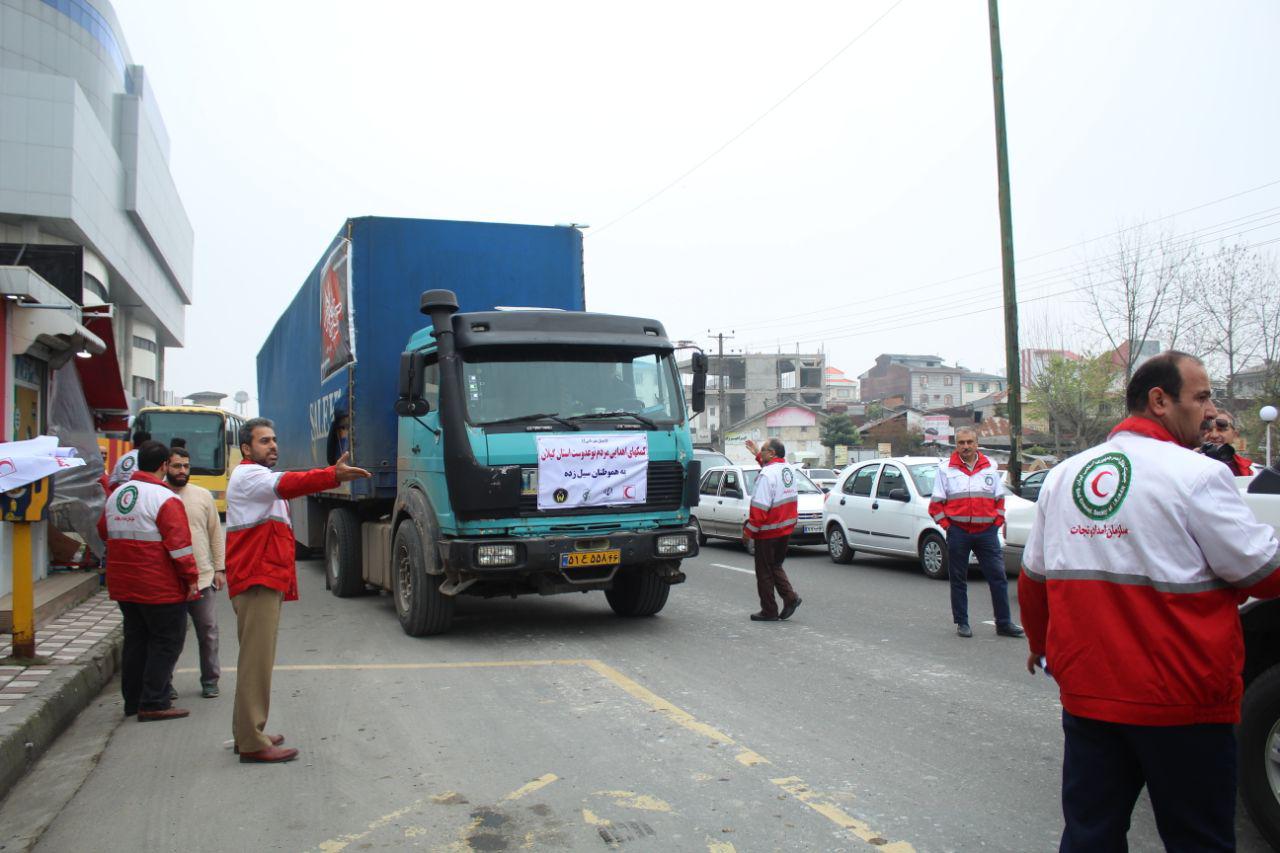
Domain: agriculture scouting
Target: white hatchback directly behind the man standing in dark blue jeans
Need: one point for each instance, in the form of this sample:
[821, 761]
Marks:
[883, 508]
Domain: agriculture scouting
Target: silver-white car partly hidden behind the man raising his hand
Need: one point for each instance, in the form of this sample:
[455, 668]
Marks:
[725, 504]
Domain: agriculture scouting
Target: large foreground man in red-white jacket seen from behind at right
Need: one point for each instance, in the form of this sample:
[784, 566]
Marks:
[1140, 555]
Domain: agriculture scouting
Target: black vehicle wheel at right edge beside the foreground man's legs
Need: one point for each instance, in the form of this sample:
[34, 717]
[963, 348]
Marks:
[1259, 737]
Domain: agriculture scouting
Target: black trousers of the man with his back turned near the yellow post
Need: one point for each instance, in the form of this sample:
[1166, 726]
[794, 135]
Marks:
[153, 642]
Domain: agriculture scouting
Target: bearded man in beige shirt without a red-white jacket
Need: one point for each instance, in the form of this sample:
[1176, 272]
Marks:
[207, 542]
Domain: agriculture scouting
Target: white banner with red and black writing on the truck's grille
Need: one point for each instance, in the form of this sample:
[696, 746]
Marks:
[592, 471]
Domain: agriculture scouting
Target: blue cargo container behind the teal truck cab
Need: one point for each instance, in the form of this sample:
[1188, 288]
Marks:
[391, 263]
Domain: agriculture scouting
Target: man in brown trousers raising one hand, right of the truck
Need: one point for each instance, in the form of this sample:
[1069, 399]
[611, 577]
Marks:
[770, 526]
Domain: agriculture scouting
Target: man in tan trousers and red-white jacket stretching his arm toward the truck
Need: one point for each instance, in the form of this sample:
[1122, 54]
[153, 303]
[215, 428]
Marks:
[262, 573]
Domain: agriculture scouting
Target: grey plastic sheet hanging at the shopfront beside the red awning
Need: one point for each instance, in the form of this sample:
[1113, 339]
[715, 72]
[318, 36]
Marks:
[79, 498]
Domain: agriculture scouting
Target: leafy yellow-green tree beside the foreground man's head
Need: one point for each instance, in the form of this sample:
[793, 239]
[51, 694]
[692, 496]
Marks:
[1076, 400]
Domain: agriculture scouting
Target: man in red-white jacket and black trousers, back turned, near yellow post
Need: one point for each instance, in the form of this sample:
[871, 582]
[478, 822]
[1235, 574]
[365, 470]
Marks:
[152, 576]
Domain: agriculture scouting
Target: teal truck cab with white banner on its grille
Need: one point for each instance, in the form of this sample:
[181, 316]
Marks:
[538, 453]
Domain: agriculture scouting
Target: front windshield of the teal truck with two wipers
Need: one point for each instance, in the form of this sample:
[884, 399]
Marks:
[510, 384]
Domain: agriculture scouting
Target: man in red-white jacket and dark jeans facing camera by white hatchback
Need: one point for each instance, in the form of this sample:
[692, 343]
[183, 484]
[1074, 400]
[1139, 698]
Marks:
[970, 504]
